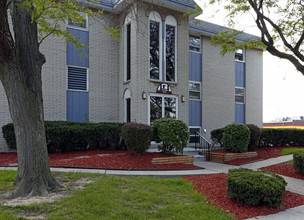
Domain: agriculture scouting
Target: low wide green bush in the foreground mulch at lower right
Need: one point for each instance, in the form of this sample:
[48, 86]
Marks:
[255, 187]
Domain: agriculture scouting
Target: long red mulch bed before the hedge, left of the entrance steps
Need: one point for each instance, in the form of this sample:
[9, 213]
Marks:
[102, 159]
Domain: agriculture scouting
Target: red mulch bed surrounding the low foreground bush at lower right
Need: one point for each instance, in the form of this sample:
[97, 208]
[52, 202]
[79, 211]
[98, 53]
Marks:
[214, 187]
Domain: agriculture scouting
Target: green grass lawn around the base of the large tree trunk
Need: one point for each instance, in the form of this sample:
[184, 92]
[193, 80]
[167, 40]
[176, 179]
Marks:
[118, 197]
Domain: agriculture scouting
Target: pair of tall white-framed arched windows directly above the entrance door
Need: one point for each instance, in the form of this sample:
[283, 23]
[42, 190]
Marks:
[159, 40]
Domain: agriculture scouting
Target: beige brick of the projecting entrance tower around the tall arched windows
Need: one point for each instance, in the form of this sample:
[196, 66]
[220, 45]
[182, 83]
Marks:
[140, 81]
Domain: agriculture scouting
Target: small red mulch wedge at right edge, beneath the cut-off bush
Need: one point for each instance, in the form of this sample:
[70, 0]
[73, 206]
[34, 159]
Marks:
[285, 169]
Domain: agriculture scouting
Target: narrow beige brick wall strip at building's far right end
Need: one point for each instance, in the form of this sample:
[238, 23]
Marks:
[254, 87]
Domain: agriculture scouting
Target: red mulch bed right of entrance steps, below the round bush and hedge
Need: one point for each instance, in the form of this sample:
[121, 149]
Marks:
[263, 153]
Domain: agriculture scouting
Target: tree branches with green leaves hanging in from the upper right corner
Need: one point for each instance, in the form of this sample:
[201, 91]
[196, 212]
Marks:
[281, 24]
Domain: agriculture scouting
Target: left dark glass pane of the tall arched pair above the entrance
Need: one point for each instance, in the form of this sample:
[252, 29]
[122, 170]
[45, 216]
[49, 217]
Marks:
[154, 50]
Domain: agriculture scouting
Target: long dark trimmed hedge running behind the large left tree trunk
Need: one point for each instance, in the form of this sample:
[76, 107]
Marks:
[65, 136]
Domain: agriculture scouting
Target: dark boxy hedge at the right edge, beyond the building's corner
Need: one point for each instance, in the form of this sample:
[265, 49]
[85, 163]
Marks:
[282, 137]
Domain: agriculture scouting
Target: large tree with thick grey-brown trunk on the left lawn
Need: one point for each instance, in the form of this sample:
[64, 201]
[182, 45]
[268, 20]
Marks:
[20, 73]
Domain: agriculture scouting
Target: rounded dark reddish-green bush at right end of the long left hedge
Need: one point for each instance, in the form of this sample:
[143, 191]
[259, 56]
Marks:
[137, 137]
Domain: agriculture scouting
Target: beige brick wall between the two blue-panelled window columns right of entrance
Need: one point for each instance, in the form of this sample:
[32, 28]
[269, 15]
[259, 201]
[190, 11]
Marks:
[217, 87]
